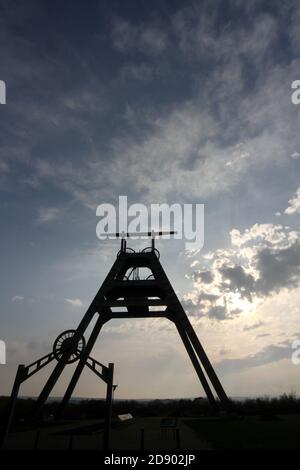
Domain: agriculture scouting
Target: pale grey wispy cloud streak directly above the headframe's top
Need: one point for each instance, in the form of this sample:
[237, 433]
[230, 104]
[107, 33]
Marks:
[178, 147]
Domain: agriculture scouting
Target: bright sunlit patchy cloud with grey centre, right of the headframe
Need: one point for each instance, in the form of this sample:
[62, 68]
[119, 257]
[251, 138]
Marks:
[261, 261]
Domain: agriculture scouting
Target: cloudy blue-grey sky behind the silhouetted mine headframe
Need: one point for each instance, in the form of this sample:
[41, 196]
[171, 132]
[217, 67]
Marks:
[164, 102]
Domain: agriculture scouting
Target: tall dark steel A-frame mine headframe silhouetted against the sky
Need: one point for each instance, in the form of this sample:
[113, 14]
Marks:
[142, 298]
